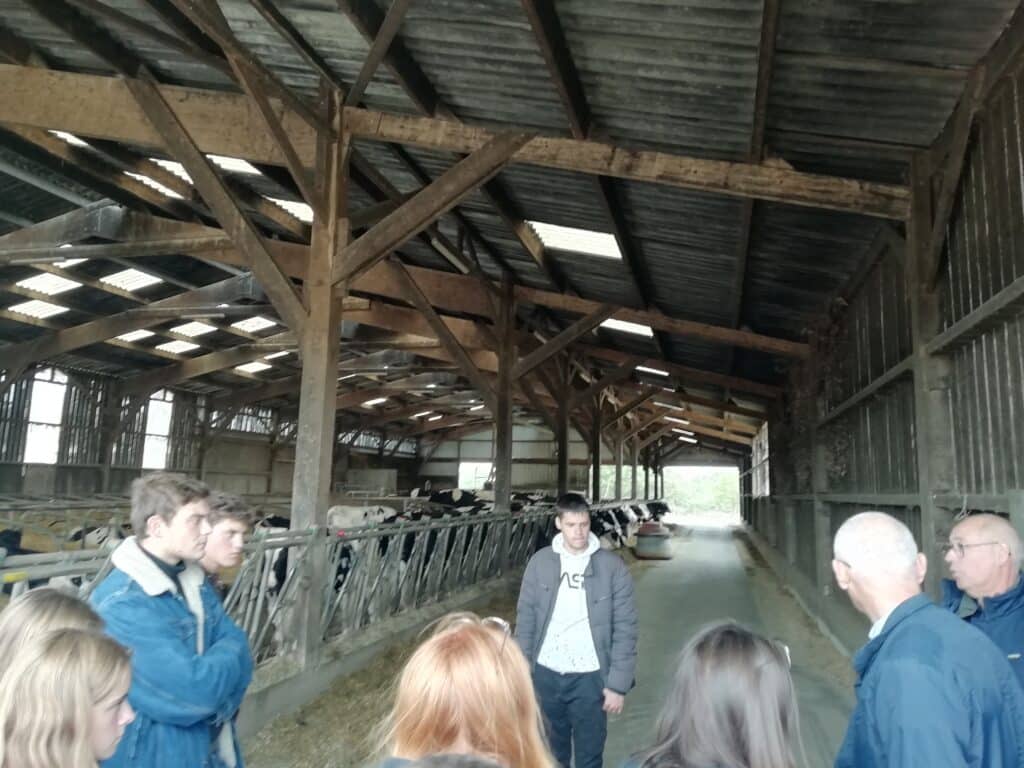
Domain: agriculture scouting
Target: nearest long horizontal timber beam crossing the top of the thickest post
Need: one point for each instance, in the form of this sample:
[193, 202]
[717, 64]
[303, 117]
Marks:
[225, 123]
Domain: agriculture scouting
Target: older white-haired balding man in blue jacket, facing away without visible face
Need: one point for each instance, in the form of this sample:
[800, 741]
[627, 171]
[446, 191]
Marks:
[932, 691]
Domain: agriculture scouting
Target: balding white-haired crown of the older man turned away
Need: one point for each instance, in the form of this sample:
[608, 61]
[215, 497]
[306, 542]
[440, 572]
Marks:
[877, 544]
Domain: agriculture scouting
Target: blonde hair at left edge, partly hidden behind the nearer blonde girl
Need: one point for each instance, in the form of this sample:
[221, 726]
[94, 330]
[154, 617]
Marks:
[37, 613]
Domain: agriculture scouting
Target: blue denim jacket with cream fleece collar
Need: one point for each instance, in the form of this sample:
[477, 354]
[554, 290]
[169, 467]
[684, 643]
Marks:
[191, 663]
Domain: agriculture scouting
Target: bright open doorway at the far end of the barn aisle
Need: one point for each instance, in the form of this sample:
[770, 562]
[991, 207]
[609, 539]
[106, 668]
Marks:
[703, 496]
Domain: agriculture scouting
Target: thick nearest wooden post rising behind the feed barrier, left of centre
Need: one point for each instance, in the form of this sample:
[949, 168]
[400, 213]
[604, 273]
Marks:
[319, 348]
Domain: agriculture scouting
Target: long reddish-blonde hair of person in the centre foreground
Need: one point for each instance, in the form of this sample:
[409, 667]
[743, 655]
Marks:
[468, 685]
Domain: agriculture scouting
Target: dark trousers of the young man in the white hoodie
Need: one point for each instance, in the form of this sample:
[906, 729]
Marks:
[574, 715]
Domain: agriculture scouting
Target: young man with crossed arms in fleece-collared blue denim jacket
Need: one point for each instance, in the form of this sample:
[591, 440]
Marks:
[191, 665]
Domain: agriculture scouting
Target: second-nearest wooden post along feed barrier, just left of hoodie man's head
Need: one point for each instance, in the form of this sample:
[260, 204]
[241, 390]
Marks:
[503, 415]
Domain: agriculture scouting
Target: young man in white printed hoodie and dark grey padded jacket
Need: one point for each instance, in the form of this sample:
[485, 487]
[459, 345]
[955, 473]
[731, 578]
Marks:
[577, 625]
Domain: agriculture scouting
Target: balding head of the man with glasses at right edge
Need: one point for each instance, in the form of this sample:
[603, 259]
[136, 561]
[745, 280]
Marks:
[985, 557]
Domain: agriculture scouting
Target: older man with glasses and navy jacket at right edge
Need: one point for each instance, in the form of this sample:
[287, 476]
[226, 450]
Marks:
[987, 589]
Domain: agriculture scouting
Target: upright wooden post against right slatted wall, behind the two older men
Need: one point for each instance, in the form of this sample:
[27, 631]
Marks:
[931, 373]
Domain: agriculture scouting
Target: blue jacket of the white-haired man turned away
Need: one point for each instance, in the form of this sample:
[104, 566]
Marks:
[935, 693]
